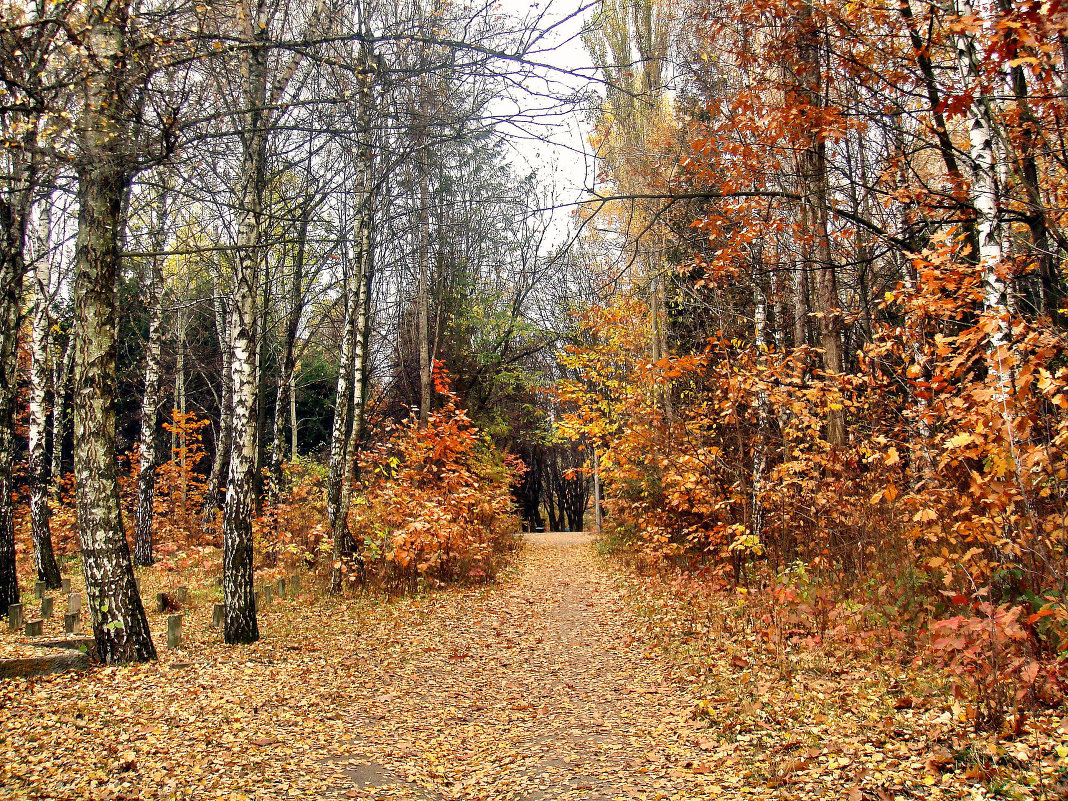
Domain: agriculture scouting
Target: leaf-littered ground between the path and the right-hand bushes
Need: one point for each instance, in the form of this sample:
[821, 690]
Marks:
[849, 714]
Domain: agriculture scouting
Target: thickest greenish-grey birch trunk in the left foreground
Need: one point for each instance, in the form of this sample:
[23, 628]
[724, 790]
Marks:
[119, 620]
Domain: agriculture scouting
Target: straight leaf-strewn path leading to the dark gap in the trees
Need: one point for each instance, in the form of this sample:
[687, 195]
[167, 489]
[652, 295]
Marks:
[539, 690]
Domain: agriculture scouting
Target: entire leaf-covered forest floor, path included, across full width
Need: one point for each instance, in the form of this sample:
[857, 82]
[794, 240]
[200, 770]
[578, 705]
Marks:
[564, 680]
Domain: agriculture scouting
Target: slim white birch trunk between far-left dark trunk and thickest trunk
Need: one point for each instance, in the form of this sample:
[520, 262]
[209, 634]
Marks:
[49, 571]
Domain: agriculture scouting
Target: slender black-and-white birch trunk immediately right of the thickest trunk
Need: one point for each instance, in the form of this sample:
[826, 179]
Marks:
[150, 407]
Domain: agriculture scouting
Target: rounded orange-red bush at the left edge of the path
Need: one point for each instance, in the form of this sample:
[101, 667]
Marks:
[435, 505]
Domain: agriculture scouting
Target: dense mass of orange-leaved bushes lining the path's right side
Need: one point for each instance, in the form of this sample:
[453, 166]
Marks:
[949, 489]
